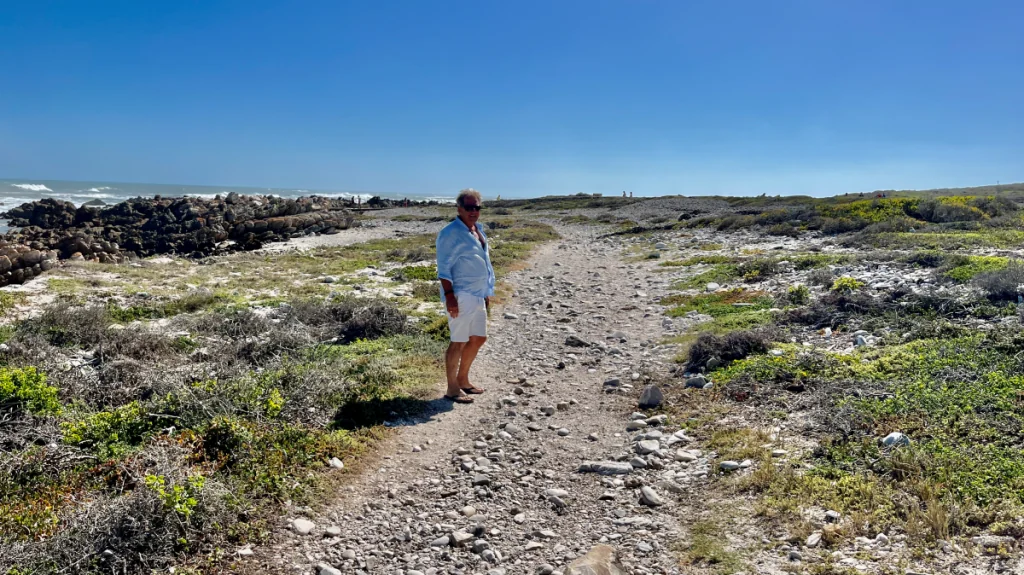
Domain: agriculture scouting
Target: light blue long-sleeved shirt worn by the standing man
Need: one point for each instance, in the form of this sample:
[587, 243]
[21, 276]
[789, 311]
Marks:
[464, 262]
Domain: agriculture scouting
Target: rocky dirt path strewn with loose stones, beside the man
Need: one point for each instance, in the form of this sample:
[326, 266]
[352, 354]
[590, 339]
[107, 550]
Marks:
[548, 464]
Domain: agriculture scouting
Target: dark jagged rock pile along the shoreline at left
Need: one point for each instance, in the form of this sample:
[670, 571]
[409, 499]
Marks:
[197, 228]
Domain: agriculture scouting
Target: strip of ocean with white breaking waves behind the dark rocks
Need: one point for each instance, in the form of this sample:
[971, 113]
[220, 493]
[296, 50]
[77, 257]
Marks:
[17, 192]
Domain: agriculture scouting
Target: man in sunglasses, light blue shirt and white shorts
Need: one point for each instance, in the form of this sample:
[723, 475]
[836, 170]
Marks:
[467, 285]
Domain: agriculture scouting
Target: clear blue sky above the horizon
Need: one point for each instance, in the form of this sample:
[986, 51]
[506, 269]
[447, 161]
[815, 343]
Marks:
[517, 98]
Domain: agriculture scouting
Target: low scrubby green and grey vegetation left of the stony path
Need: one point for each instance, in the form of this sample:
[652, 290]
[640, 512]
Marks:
[144, 429]
